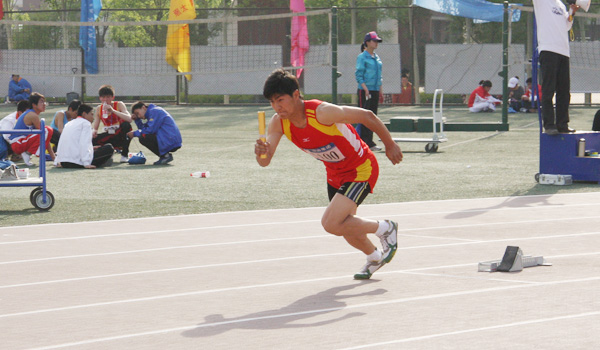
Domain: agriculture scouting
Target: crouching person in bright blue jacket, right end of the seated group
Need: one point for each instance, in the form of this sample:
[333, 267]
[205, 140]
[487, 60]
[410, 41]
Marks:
[159, 133]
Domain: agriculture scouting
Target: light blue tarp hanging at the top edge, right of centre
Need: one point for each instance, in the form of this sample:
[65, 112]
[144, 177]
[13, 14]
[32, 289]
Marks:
[480, 10]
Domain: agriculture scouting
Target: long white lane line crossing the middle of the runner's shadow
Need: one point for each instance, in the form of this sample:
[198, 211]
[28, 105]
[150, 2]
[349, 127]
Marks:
[326, 310]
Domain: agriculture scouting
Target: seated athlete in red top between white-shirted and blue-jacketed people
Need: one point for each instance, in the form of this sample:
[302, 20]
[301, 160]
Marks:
[116, 120]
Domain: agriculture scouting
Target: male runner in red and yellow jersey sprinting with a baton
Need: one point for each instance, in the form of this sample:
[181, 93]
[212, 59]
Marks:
[323, 130]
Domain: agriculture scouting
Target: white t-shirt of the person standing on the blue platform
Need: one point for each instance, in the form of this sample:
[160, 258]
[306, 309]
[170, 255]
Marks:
[553, 25]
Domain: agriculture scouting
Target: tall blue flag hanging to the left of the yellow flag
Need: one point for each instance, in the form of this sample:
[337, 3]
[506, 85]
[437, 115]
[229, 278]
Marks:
[90, 9]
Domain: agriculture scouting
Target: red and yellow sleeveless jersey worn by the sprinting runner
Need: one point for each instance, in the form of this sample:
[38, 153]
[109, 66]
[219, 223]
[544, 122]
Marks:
[346, 157]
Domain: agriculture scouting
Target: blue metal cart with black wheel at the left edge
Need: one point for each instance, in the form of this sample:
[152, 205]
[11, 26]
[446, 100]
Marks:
[41, 198]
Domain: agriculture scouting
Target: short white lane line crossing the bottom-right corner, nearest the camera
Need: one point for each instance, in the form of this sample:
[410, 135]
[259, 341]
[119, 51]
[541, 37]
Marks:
[481, 329]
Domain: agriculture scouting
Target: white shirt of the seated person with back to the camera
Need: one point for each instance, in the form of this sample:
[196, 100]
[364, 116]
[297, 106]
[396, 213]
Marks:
[75, 144]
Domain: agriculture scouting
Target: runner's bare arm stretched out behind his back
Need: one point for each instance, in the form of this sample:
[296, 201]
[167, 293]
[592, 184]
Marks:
[328, 114]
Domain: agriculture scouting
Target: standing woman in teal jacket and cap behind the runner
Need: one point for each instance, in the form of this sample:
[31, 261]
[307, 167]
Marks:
[368, 77]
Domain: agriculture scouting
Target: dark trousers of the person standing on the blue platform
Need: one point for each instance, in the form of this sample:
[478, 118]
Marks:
[555, 79]
